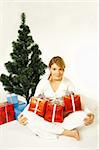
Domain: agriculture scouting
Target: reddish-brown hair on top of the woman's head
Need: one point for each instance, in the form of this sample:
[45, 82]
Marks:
[57, 60]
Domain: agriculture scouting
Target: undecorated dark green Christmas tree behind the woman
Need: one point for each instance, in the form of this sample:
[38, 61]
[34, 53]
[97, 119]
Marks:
[26, 66]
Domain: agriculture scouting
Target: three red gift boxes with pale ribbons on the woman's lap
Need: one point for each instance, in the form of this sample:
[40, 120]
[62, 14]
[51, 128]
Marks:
[52, 109]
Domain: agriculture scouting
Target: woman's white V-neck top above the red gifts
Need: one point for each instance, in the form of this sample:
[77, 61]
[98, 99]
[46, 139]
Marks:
[45, 88]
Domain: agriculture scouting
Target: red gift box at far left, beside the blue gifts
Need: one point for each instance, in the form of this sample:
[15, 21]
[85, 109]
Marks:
[6, 112]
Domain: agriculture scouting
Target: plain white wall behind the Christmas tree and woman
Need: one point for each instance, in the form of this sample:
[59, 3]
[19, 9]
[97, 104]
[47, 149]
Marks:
[66, 28]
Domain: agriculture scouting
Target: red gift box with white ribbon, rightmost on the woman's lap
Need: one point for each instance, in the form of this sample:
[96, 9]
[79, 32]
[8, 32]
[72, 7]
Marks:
[72, 103]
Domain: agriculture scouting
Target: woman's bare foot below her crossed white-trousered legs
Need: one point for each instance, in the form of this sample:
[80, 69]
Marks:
[72, 133]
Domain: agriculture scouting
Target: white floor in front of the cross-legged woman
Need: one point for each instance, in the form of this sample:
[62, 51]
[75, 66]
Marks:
[14, 136]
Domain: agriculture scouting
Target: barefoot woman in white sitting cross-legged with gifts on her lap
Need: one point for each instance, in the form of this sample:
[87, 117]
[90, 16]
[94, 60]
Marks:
[56, 85]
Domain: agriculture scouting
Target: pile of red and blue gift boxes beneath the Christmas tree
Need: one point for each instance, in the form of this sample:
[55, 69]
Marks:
[10, 110]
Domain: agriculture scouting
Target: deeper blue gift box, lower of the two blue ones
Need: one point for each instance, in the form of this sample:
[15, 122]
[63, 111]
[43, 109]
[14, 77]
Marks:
[18, 108]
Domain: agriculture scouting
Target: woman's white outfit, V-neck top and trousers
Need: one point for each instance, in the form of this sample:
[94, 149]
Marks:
[47, 129]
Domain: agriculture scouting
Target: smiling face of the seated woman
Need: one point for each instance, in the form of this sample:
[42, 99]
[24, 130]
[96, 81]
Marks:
[56, 72]
